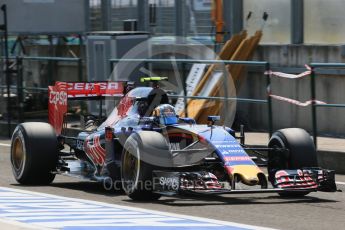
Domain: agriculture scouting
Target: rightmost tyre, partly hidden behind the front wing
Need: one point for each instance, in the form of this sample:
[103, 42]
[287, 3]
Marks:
[301, 154]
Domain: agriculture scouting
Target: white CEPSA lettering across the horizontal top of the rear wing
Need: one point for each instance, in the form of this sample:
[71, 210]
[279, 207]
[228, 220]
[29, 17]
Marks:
[80, 86]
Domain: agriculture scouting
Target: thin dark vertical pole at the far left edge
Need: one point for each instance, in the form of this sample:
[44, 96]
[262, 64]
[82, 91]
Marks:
[7, 70]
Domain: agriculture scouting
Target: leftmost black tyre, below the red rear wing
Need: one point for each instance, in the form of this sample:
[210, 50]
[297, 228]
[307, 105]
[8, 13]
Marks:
[34, 153]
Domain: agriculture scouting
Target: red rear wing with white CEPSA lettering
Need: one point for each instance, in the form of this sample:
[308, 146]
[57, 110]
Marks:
[61, 92]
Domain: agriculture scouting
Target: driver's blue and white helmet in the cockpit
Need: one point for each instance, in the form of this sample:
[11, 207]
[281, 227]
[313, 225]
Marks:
[165, 114]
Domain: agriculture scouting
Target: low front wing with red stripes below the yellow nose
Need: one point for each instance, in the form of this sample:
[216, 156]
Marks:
[301, 180]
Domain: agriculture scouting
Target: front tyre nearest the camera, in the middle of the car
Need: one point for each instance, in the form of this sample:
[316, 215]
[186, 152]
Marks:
[136, 174]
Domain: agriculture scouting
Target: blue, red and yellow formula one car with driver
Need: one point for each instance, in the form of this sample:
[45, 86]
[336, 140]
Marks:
[150, 151]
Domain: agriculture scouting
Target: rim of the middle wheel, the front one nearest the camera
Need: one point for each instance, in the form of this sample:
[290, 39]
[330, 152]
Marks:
[130, 171]
